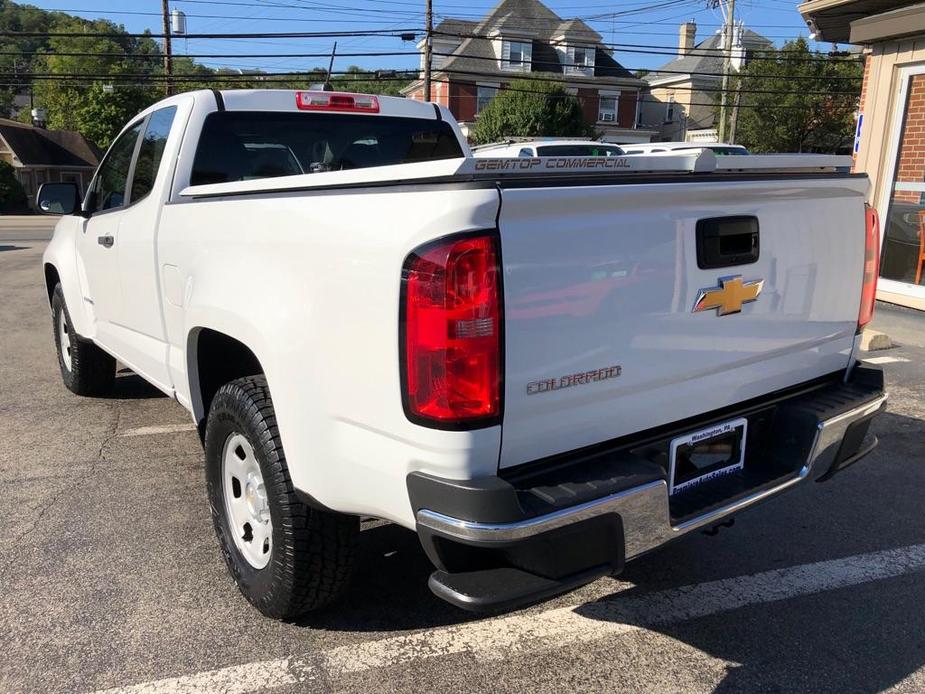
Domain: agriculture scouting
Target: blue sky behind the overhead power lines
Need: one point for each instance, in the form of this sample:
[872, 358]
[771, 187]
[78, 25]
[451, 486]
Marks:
[637, 23]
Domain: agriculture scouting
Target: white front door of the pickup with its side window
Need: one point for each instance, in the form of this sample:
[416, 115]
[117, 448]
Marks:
[98, 241]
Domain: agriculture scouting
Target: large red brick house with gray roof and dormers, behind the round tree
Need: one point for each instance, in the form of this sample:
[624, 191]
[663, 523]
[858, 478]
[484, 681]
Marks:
[472, 61]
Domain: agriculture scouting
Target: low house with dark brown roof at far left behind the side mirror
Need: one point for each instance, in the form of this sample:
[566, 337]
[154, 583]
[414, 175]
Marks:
[41, 156]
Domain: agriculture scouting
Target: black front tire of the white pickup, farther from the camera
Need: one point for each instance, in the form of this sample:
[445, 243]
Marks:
[85, 369]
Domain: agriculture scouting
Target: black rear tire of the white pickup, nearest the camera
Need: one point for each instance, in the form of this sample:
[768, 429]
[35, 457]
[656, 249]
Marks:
[313, 551]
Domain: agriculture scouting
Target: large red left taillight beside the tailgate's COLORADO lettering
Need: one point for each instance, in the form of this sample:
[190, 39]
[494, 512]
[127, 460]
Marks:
[451, 332]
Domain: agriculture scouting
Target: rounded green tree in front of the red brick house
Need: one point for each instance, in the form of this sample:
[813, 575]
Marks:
[531, 108]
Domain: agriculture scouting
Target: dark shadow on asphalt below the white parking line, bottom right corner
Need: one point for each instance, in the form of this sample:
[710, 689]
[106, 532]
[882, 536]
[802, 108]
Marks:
[863, 638]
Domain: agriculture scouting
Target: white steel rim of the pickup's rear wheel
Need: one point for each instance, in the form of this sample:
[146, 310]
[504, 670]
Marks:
[247, 508]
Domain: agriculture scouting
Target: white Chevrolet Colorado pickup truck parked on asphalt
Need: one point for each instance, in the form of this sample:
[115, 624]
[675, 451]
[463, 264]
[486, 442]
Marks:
[543, 366]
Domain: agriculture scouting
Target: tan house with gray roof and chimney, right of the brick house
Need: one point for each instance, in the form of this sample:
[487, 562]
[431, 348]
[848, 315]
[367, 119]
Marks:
[680, 103]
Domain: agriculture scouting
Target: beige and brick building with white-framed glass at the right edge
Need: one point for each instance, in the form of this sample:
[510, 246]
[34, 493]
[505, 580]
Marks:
[890, 142]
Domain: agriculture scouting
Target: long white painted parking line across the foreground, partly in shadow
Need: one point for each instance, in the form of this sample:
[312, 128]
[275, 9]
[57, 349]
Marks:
[504, 636]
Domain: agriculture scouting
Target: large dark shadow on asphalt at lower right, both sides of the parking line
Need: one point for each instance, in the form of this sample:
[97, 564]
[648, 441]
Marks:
[862, 638]
